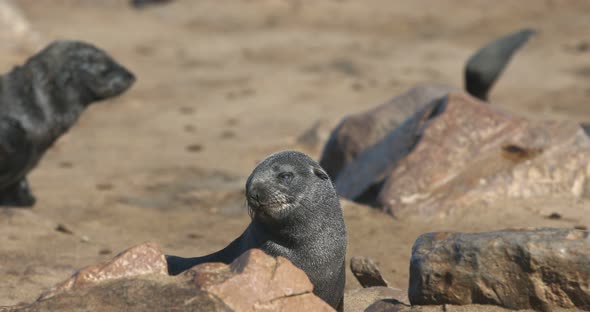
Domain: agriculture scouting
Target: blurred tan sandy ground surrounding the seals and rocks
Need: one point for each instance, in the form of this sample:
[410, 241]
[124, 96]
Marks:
[221, 84]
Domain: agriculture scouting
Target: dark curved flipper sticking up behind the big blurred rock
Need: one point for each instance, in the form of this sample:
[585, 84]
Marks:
[487, 64]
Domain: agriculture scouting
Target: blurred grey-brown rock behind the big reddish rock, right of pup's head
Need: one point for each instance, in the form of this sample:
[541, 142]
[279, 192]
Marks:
[355, 133]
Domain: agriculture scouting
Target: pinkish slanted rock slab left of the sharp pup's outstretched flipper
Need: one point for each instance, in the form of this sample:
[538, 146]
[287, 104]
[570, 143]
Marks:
[142, 259]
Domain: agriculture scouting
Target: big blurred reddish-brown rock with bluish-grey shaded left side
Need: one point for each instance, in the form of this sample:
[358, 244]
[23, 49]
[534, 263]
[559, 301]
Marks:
[459, 151]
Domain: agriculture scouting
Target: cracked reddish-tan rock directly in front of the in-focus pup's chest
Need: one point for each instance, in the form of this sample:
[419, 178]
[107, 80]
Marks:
[258, 282]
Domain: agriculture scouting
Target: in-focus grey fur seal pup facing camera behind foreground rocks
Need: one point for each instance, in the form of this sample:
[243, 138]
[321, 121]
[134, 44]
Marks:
[296, 214]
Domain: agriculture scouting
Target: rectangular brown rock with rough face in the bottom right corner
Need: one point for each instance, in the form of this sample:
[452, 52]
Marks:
[518, 269]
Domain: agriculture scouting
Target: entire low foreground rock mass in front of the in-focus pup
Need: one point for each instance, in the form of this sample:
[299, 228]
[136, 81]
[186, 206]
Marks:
[137, 280]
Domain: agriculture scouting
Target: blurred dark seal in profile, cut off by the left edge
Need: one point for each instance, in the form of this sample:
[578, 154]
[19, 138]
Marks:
[42, 99]
